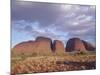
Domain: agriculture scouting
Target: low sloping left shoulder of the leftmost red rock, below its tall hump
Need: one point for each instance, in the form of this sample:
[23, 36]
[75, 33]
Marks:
[25, 47]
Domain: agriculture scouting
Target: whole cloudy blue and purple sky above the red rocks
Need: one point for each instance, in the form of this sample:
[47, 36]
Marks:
[57, 21]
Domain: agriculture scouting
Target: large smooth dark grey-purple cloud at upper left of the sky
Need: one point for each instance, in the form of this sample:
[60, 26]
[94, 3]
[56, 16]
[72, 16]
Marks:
[44, 13]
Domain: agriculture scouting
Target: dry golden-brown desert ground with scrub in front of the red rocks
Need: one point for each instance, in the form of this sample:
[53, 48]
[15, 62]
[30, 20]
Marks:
[70, 61]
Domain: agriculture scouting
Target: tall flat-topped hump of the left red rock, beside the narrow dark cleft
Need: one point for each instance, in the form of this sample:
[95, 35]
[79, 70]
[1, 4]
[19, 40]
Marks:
[44, 45]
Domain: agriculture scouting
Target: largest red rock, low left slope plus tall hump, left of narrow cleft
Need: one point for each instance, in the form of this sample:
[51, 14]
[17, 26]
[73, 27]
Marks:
[40, 46]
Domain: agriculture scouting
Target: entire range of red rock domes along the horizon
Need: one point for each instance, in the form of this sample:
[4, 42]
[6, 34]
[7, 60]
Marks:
[44, 46]
